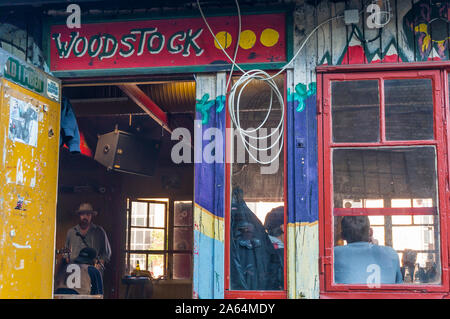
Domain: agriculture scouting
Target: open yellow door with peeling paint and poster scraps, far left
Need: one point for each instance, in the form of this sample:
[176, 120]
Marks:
[29, 146]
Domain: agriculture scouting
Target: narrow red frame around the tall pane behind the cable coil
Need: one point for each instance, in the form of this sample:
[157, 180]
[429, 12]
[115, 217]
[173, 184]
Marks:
[252, 294]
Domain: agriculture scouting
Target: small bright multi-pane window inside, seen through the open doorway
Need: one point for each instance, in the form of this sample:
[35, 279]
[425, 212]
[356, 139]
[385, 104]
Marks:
[164, 248]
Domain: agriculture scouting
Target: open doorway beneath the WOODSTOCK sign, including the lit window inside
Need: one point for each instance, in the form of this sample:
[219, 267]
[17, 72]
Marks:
[125, 171]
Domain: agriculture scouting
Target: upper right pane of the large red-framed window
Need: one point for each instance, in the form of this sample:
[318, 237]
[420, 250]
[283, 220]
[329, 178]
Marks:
[409, 109]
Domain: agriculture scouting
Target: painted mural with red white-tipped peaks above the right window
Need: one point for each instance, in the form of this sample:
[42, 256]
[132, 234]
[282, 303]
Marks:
[421, 34]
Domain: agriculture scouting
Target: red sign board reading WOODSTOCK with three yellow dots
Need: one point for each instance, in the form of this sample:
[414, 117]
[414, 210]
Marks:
[167, 43]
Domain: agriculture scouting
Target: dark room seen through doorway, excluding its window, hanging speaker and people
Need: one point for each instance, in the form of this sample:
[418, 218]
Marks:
[100, 110]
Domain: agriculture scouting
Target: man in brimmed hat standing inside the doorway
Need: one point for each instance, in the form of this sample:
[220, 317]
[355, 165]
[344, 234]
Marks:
[87, 234]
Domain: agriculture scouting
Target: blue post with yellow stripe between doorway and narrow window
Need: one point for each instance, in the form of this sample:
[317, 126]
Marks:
[209, 192]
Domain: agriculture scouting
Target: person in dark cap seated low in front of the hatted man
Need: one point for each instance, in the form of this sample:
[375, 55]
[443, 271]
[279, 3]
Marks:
[80, 276]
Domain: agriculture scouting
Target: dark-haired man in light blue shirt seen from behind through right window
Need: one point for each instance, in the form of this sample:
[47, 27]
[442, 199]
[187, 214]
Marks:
[361, 262]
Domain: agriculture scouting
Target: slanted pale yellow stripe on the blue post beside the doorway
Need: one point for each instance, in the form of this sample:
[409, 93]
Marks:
[209, 224]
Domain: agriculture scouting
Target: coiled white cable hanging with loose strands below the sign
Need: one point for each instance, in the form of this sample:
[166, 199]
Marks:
[245, 79]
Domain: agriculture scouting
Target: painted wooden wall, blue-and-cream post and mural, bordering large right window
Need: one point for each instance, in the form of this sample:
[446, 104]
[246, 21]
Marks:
[417, 31]
